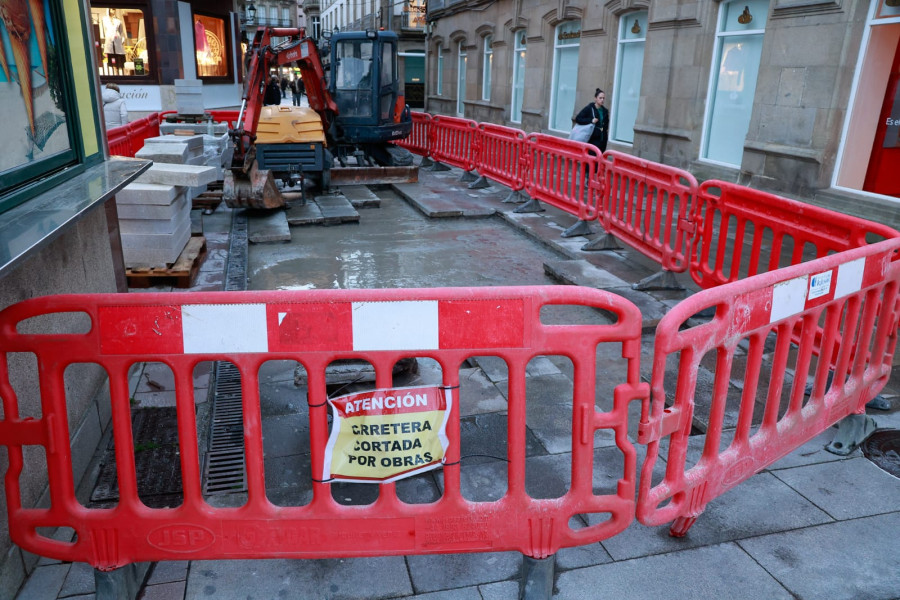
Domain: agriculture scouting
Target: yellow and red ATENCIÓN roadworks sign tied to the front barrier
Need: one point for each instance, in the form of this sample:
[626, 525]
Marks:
[388, 434]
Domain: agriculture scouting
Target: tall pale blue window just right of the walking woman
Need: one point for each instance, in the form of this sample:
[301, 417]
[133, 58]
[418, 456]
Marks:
[629, 71]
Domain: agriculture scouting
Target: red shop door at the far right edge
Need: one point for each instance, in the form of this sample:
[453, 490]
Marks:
[883, 174]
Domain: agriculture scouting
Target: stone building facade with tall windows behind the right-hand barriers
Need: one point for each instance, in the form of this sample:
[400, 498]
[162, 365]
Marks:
[793, 96]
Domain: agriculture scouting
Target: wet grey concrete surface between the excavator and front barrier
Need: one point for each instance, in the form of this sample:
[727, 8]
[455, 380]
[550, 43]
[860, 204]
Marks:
[397, 246]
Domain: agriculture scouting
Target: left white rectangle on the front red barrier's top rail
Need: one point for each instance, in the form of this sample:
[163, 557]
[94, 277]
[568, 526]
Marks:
[224, 328]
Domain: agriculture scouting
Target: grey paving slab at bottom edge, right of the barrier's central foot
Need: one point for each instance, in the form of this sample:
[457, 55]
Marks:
[722, 571]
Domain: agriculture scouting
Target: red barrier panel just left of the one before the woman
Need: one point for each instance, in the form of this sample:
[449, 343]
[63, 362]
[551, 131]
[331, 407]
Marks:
[501, 155]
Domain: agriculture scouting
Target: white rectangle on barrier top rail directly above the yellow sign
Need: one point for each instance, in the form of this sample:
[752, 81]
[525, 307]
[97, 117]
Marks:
[395, 325]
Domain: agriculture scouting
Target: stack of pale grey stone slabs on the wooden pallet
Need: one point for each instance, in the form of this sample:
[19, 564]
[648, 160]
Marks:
[155, 213]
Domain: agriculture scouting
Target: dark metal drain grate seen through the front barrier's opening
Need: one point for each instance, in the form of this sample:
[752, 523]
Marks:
[225, 470]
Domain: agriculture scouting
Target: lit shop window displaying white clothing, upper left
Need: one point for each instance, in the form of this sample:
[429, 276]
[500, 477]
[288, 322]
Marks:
[121, 41]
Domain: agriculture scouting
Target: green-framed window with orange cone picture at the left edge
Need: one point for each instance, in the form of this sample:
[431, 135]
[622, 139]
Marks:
[37, 109]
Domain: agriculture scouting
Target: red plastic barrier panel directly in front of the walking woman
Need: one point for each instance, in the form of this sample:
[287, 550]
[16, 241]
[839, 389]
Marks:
[564, 174]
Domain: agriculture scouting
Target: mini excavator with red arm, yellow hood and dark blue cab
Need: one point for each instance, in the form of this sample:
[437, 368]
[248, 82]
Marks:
[355, 110]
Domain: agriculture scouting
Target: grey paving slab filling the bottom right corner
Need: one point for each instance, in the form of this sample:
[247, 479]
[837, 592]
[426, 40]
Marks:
[847, 560]
